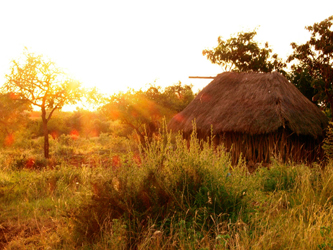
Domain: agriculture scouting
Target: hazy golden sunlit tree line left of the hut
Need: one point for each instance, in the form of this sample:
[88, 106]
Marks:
[36, 82]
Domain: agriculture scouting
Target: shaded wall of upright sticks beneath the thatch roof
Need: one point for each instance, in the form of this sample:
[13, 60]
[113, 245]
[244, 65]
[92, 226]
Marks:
[283, 145]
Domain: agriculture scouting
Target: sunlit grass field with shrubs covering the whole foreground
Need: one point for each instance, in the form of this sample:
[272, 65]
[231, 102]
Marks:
[111, 193]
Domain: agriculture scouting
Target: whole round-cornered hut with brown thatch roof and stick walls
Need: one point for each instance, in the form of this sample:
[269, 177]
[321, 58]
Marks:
[258, 115]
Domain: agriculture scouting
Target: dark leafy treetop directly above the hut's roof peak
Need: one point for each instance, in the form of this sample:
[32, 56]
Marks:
[243, 54]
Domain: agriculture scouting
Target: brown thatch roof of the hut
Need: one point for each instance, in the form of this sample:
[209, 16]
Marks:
[251, 103]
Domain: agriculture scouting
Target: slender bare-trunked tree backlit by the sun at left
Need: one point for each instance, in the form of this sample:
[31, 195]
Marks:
[39, 82]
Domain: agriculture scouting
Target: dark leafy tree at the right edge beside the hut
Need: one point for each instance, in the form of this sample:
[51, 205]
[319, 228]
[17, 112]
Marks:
[315, 57]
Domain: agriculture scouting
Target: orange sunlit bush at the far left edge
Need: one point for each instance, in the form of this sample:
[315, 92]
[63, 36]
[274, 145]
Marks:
[12, 113]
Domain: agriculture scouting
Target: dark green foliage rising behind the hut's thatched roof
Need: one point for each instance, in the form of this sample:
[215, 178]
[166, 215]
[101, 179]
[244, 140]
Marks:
[312, 73]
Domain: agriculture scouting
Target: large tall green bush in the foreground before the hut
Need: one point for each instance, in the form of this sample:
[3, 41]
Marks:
[181, 184]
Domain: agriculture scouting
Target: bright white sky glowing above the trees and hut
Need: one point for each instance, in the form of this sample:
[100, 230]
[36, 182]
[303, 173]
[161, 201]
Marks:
[115, 45]
